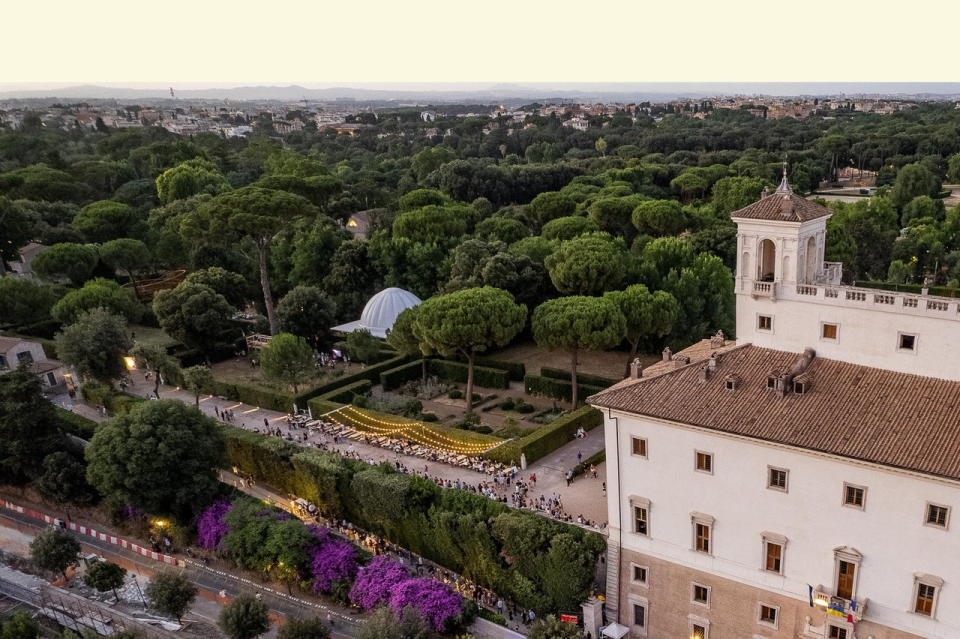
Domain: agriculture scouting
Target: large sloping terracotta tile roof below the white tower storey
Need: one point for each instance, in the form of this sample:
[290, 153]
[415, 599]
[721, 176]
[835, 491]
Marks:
[854, 411]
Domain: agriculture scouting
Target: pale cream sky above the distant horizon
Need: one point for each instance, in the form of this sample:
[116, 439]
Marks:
[319, 41]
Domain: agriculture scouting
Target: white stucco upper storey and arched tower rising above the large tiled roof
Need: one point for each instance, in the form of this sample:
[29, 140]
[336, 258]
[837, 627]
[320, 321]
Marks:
[804, 294]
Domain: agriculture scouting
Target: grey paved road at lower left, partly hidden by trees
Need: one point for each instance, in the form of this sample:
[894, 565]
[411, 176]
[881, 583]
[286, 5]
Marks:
[209, 582]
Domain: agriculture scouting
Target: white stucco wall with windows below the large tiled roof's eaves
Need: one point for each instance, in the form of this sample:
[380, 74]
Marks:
[889, 532]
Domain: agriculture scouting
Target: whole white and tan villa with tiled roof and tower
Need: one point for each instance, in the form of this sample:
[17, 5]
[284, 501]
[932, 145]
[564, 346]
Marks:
[799, 482]
